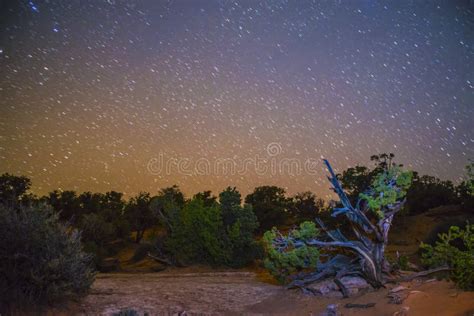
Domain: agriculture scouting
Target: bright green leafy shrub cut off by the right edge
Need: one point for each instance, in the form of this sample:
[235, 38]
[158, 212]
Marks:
[455, 249]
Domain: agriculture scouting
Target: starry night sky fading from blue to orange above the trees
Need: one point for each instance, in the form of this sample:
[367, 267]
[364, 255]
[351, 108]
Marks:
[92, 90]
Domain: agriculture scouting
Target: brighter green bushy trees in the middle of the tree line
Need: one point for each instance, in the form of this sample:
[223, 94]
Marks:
[205, 231]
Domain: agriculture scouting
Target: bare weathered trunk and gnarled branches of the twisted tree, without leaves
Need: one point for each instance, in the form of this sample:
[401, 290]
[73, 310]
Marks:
[368, 248]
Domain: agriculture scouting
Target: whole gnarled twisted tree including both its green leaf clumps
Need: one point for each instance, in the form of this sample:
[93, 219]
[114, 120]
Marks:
[361, 252]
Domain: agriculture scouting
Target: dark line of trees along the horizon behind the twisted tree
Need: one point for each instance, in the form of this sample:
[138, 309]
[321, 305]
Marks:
[216, 230]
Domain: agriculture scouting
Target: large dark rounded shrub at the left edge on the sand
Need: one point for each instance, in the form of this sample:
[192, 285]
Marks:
[41, 259]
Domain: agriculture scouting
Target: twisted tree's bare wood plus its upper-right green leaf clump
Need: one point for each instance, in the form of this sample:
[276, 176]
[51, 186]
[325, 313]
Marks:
[369, 221]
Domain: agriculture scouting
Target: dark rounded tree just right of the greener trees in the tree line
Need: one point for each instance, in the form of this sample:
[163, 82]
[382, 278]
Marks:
[269, 205]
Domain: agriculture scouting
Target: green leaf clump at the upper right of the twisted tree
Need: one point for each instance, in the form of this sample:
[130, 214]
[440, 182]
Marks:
[387, 188]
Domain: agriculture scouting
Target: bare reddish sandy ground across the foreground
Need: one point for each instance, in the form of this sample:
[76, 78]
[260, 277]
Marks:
[237, 293]
